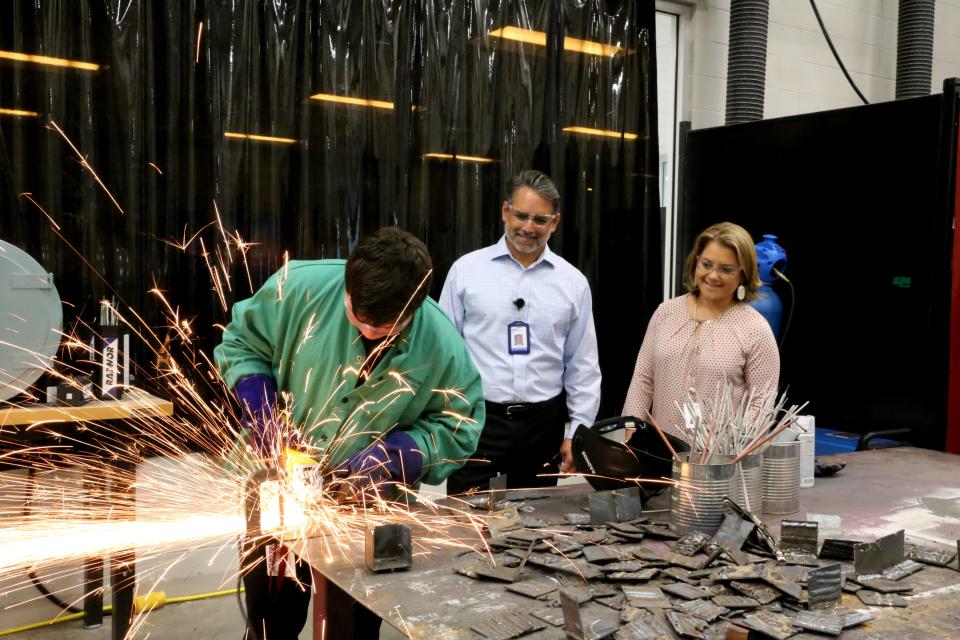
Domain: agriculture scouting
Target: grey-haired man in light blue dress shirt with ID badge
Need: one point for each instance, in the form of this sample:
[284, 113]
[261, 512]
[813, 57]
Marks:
[527, 317]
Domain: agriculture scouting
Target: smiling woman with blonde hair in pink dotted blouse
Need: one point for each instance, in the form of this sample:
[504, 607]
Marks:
[708, 336]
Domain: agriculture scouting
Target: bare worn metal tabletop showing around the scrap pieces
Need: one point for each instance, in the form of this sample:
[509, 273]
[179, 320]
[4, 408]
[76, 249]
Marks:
[879, 492]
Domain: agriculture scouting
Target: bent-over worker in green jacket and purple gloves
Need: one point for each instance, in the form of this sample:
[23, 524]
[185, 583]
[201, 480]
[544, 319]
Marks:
[379, 386]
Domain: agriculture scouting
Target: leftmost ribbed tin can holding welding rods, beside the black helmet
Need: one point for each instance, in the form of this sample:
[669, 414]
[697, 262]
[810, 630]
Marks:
[696, 500]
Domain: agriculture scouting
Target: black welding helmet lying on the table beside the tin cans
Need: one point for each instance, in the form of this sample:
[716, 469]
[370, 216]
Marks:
[606, 462]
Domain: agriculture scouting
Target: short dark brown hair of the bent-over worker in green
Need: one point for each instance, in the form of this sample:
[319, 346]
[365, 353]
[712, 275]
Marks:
[383, 275]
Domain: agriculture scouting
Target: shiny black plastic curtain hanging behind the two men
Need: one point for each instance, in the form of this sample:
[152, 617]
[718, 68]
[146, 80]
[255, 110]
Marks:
[308, 124]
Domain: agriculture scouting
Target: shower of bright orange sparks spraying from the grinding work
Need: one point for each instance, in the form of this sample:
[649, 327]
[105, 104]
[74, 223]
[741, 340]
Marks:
[103, 489]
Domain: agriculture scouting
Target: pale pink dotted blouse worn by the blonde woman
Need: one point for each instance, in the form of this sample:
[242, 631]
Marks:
[736, 346]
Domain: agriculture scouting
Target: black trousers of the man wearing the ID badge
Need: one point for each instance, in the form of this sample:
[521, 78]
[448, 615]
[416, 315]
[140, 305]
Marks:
[521, 442]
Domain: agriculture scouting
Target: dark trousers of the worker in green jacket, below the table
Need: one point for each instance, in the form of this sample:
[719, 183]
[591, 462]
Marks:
[277, 607]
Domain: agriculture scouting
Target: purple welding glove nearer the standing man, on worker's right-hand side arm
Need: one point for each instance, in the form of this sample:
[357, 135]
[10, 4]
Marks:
[375, 471]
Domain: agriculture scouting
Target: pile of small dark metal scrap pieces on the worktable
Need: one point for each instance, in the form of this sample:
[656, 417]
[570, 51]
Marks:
[636, 580]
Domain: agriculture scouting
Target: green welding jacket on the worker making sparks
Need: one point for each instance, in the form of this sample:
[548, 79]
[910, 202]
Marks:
[295, 328]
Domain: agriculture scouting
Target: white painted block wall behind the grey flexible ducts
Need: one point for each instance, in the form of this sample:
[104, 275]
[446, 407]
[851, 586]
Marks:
[802, 75]
